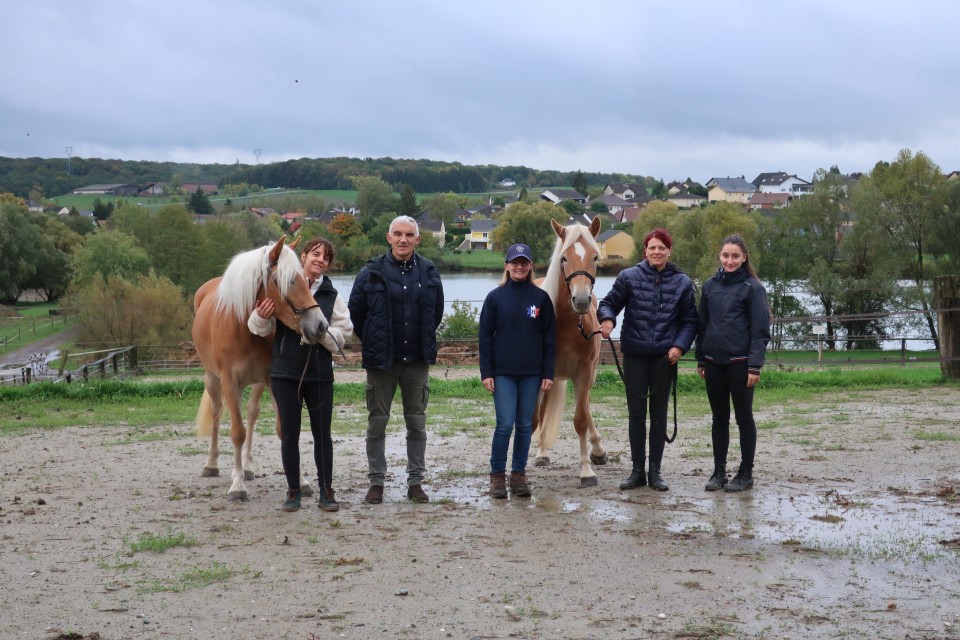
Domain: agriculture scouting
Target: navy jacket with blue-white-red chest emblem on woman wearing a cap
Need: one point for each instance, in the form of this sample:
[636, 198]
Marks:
[518, 332]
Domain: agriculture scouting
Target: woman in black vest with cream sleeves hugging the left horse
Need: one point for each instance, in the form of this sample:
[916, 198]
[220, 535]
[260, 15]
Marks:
[302, 374]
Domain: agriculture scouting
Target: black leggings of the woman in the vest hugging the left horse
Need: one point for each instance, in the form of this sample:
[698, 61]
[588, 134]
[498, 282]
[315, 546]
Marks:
[319, 401]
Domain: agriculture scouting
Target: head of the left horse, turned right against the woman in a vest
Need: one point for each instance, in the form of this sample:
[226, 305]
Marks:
[288, 288]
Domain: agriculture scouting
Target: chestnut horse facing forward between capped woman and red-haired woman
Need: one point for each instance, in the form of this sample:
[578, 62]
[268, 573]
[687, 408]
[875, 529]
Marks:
[569, 282]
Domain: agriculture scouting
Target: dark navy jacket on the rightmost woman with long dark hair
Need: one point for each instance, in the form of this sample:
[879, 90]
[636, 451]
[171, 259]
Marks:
[734, 320]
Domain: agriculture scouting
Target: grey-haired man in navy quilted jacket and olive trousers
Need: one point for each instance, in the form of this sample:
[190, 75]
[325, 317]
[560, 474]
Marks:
[396, 305]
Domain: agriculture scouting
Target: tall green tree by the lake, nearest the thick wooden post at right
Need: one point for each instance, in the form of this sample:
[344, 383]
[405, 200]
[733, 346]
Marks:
[907, 199]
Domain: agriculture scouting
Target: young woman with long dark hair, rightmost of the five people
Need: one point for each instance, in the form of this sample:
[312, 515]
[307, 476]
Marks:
[732, 336]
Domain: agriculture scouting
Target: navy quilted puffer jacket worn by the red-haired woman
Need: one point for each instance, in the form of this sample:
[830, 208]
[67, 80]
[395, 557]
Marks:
[659, 309]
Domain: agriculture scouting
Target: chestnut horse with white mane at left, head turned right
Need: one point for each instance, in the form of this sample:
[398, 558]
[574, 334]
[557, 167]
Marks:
[234, 358]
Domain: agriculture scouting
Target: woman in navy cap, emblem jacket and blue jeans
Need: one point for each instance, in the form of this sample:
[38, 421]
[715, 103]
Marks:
[518, 337]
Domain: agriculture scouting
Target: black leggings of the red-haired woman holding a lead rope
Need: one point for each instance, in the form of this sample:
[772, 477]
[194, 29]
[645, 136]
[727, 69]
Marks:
[647, 377]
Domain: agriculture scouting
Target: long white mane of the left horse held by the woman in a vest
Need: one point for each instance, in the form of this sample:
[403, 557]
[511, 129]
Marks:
[247, 272]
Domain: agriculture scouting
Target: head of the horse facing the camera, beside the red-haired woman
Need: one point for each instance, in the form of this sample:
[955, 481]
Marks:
[578, 254]
